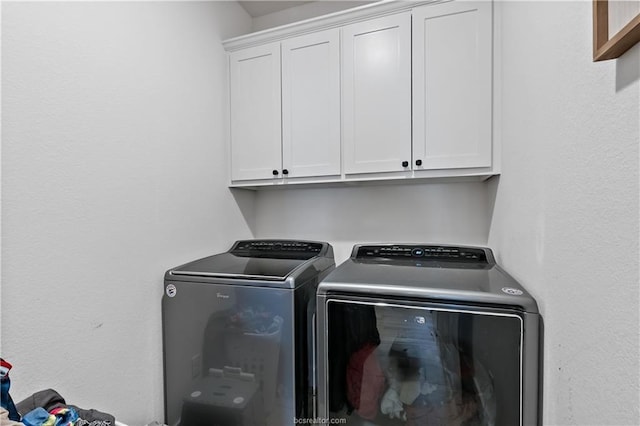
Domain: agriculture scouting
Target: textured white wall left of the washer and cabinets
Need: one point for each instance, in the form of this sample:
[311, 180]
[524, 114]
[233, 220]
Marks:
[113, 170]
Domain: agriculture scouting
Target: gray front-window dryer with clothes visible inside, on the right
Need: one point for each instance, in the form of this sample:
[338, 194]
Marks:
[425, 334]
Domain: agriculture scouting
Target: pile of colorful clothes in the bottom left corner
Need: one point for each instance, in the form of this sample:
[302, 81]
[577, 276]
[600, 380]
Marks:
[44, 408]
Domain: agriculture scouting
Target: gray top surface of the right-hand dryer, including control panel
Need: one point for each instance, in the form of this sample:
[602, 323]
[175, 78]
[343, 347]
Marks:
[428, 272]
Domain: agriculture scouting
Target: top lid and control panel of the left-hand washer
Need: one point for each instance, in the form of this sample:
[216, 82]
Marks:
[270, 260]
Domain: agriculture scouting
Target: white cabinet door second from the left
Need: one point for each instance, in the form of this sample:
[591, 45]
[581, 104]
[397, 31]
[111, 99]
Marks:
[311, 104]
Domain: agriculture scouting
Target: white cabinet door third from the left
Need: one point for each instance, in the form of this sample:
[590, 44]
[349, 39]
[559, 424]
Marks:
[377, 94]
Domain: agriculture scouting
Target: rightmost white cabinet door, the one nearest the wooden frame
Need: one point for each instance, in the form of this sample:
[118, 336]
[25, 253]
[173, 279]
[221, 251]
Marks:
[452, 102]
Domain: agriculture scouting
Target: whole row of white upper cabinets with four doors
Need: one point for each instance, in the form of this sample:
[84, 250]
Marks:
[391, 90]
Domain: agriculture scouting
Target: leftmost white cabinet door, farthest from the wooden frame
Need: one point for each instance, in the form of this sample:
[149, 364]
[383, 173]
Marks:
[255, 112]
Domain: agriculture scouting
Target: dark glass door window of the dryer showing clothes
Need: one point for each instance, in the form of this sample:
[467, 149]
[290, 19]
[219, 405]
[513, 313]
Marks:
[399, 365]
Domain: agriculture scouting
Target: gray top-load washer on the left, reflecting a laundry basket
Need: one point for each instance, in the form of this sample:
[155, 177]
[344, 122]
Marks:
[238, 334]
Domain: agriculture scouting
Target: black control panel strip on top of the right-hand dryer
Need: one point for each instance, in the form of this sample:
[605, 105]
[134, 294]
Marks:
[425, 252]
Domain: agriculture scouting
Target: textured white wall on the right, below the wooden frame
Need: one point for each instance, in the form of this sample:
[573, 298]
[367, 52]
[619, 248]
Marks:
[565, 221]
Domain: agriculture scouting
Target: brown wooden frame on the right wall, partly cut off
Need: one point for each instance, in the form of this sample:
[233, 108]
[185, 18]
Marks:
[605, 48]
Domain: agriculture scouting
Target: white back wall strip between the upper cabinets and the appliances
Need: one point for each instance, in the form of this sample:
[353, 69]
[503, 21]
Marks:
[440, 213]
